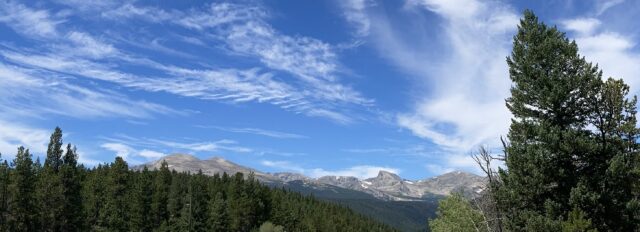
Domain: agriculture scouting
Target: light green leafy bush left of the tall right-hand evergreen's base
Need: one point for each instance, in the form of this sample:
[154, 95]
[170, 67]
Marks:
[455, 214]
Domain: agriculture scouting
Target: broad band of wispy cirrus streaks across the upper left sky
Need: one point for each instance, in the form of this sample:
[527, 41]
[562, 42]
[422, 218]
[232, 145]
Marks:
[239, 29]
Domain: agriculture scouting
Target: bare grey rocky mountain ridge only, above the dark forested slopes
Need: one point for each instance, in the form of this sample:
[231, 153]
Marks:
[385, 186]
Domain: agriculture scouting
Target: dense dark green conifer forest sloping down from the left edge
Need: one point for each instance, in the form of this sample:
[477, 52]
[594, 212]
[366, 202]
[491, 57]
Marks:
[61, 195]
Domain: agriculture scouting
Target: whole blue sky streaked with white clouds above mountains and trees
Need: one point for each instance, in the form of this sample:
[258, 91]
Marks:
[335, 87]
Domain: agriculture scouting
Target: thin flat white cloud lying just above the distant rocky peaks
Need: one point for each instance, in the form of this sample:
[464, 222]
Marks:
[361, 171]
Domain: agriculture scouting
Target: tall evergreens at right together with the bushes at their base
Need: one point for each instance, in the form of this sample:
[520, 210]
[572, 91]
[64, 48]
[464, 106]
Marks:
[571, 157]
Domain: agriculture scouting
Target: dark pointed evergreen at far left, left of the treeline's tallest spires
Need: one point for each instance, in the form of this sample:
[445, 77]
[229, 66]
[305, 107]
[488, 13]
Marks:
[22, 201]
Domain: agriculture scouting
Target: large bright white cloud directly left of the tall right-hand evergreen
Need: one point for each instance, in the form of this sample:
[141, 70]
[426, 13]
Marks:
[468, 83]
